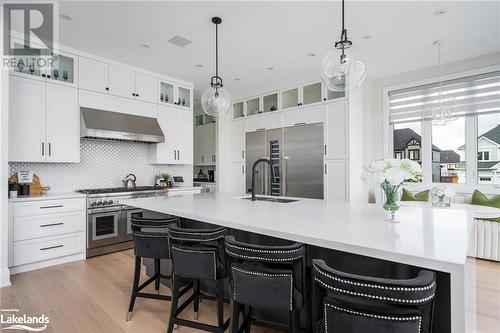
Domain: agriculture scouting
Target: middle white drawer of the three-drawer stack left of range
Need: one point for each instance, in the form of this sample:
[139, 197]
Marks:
[26, 227]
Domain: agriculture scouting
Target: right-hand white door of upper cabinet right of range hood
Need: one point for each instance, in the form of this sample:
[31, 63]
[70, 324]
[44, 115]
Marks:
[184, 137]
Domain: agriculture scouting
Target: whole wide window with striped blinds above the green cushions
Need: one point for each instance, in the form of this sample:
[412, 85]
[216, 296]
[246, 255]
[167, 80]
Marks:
[465, 150]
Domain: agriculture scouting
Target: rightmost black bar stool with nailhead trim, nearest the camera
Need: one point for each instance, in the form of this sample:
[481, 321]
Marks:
[344, 302]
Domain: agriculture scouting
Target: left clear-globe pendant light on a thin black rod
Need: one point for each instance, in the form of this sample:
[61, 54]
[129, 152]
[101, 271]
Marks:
[215, 100]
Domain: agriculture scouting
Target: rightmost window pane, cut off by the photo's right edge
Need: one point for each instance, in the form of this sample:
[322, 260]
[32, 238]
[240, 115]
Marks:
[488, 148]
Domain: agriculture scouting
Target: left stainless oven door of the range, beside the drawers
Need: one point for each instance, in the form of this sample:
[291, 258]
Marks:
[103, 227]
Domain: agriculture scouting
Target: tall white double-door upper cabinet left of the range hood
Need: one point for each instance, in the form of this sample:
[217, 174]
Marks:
[46, 126]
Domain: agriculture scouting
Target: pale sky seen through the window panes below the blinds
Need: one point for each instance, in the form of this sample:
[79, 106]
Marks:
[452, 136]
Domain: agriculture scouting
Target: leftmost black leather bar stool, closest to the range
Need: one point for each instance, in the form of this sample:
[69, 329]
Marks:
[150, 232]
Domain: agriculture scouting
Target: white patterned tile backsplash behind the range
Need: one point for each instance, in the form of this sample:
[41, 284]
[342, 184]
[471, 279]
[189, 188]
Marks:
[102, 164]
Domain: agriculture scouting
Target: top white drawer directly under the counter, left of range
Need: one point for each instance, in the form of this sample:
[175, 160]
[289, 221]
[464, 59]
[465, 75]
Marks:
[48, 207]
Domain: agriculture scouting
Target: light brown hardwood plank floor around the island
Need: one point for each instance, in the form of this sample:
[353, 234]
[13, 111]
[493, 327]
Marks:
[93, 296]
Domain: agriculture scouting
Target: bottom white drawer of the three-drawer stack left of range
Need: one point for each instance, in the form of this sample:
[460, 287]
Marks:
[39, 249]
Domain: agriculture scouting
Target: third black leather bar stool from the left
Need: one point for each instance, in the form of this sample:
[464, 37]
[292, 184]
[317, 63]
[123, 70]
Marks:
[267, 278]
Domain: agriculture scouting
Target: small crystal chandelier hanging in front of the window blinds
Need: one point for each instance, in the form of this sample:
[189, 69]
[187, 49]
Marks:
[443, 110]
